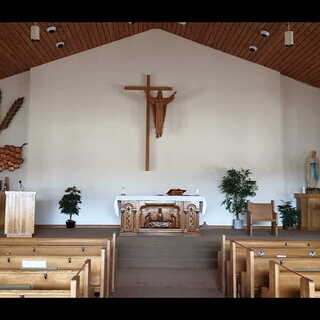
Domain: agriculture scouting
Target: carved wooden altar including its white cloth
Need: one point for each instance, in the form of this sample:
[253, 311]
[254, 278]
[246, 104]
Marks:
[159, 214]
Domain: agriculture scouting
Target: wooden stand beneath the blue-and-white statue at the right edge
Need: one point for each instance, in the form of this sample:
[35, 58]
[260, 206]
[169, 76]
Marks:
[308, 205]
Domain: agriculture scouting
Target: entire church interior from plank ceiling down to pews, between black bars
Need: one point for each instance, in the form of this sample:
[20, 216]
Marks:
[159, 160]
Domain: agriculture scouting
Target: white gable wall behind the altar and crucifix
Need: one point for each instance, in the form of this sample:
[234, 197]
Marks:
[85, 130]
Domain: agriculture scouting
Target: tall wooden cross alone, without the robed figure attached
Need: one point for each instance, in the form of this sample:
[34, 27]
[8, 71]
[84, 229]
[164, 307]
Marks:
[147, 88]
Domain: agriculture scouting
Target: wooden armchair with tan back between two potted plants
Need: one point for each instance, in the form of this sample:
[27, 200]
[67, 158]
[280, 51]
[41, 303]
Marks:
[261, 212]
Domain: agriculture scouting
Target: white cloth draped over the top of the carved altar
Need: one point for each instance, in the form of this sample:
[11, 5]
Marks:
[165, 198]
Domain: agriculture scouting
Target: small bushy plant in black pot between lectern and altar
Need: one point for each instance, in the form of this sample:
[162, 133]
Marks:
[69, 204]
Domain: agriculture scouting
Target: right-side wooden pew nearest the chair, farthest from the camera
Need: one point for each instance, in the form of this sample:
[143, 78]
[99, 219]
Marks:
[227, 285]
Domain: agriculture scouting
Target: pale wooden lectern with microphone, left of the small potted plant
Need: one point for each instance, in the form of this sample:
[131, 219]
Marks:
[19, 213]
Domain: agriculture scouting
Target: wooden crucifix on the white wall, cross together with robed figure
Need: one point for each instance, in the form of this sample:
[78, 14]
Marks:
[159, 105]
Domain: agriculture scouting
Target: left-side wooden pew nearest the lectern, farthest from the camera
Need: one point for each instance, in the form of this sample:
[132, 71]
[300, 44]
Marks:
[103, 274]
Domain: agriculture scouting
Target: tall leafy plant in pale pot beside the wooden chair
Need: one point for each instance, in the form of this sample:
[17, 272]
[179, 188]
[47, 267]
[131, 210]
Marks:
[237, 186]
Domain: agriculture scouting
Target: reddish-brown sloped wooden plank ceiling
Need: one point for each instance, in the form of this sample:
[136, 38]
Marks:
[301, 62]
